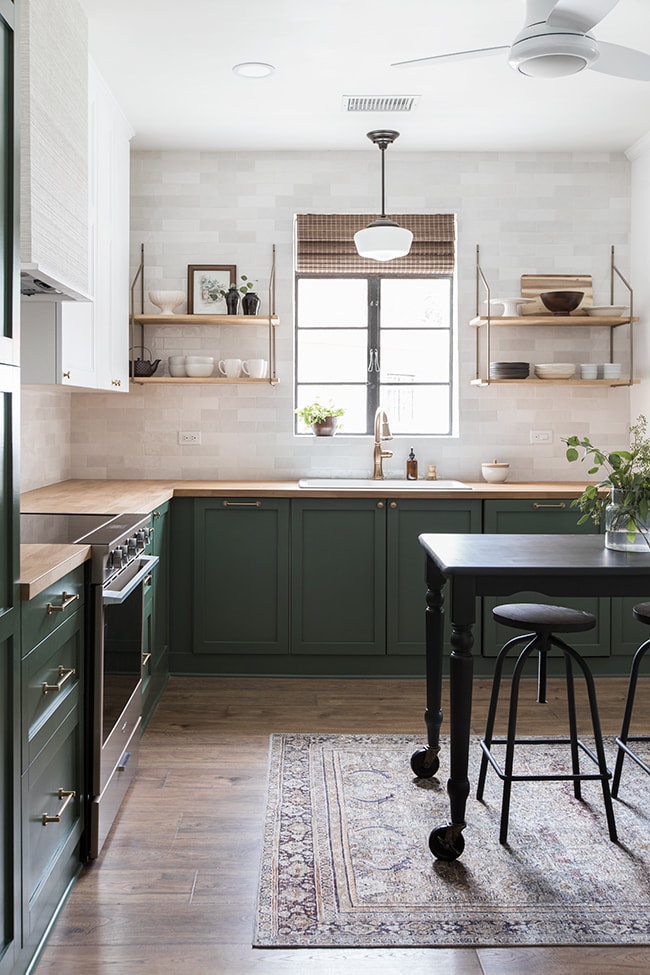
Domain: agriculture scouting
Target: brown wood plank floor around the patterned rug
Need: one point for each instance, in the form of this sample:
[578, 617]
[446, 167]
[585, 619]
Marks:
[174, 890]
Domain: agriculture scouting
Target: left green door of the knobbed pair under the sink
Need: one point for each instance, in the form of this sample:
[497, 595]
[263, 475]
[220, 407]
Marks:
[338, 559]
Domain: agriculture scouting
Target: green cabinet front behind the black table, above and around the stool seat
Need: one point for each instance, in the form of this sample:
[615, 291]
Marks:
[550, 517]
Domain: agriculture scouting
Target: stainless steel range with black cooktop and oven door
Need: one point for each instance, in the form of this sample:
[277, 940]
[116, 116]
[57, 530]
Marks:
[119, 568]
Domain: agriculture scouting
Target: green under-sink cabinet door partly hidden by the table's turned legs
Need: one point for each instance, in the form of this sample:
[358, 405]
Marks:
[406, 587]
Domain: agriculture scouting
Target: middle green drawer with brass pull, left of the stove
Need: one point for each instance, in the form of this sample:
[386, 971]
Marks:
[52, 678]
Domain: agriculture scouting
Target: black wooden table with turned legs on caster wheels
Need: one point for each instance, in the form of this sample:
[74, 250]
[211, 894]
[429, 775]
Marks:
[472, 565]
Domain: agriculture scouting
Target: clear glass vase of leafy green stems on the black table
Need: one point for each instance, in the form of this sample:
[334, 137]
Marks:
[621, 500]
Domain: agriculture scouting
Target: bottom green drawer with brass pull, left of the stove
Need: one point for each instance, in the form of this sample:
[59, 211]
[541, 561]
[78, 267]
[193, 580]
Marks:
[52, 822]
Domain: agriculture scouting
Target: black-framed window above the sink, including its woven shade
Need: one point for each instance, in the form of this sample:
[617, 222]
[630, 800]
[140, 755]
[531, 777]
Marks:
[375, 334]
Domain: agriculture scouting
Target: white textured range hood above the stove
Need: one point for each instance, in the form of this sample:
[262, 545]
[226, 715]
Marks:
[54, 144]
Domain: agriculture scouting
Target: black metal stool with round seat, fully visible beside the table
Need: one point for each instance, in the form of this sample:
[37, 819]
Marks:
[545, 622]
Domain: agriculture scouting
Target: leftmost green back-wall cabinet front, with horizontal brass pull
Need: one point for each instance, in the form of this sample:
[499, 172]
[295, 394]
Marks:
[241, 576]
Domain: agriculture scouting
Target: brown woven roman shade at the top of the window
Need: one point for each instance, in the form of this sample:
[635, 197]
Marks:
[325, 244]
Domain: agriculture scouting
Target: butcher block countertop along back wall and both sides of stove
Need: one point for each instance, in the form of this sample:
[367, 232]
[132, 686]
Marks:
[41, 565]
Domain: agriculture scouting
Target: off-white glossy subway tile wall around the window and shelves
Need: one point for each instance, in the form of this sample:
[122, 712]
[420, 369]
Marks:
[529, 212]
